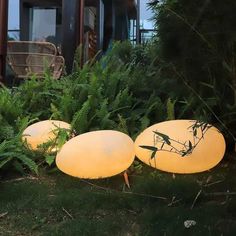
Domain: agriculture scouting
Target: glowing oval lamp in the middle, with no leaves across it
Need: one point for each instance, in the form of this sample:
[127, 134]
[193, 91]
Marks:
[97, 154]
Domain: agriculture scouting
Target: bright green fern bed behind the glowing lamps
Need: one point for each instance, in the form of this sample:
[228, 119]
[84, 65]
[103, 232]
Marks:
[118, 92]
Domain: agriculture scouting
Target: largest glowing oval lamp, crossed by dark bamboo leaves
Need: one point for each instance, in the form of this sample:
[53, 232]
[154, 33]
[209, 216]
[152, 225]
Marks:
[180, 146]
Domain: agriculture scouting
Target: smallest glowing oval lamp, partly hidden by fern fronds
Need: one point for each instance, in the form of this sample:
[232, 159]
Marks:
[42, 132]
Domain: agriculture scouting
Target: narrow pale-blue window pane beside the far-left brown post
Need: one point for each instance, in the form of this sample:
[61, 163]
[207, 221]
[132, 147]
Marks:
[14, 20]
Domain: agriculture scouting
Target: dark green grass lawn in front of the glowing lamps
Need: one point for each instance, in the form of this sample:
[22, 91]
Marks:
[158, 203]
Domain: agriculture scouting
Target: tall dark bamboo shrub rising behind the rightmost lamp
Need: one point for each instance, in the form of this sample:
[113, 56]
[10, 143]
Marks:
[196, 44]
